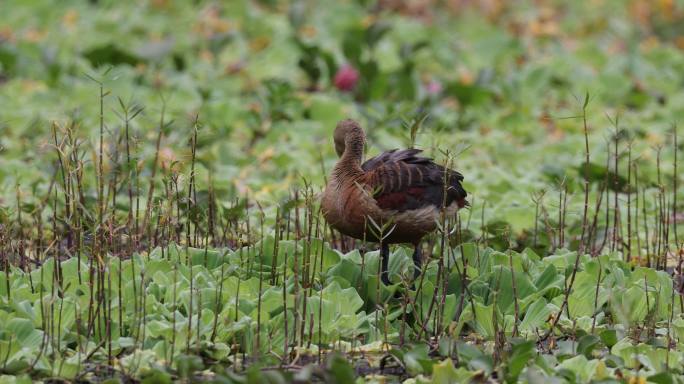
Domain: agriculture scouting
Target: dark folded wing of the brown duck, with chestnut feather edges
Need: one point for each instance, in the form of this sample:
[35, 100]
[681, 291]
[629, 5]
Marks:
[402, 180]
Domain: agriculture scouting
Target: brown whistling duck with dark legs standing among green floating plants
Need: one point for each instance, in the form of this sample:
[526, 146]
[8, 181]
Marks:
[396, 187]
